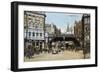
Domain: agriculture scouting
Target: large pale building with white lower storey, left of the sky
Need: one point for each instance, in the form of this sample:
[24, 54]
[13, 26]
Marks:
[34, 23]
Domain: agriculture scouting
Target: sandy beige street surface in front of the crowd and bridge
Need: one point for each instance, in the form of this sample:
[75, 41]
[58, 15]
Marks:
[64, 55]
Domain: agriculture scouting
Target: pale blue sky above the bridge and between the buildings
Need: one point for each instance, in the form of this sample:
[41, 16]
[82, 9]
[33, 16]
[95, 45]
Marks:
[61, 20]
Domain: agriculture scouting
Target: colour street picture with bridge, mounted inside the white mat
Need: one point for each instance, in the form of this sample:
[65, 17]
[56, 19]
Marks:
[50, 36]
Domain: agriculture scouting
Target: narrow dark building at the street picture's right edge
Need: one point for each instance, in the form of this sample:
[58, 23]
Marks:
[86, 31]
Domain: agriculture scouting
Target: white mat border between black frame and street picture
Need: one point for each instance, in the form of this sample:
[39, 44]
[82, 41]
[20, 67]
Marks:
[22, 64]
